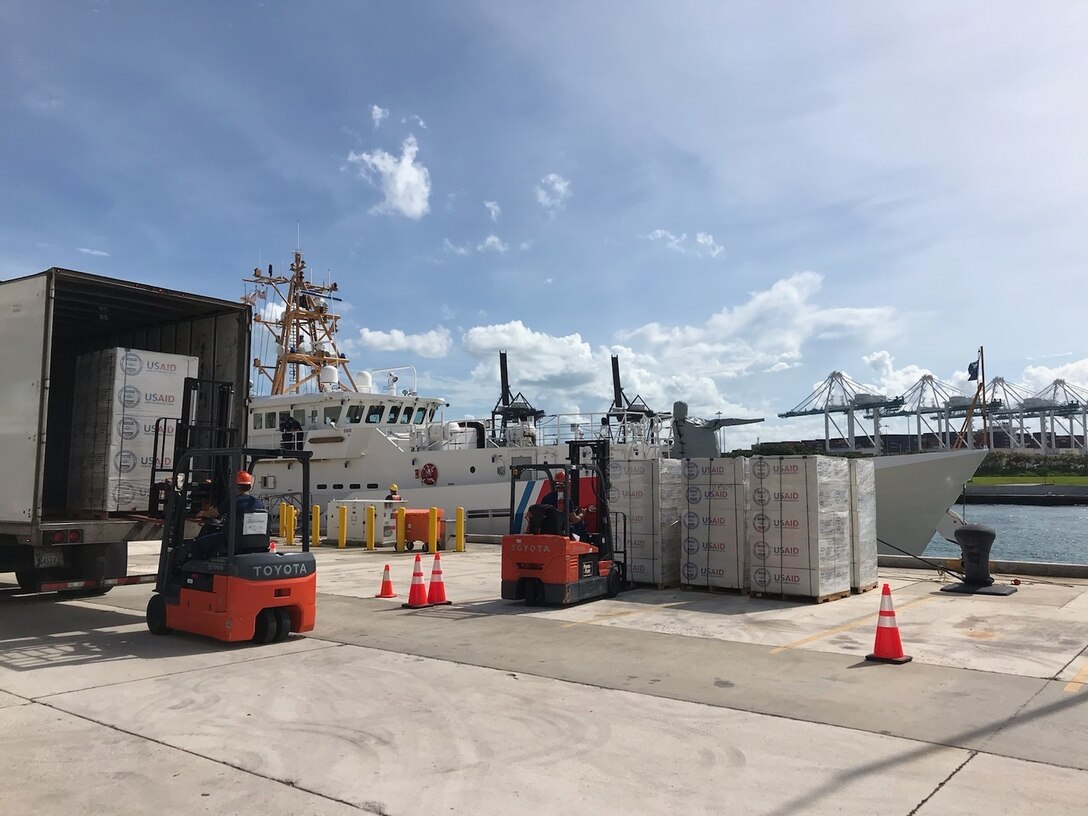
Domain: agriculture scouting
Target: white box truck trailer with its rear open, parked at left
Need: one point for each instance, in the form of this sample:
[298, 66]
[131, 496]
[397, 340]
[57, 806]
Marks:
[48, 536]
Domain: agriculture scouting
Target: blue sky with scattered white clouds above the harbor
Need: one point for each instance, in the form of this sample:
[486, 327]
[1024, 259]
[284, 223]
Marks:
[737, 199]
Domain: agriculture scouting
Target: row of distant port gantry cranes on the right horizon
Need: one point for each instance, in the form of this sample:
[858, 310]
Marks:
[941, 417]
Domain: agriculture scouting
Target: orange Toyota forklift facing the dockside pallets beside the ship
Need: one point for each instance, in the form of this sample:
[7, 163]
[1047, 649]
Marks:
[550, 563]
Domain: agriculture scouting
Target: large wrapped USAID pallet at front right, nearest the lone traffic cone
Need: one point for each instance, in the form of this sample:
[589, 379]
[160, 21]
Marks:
[799, 526]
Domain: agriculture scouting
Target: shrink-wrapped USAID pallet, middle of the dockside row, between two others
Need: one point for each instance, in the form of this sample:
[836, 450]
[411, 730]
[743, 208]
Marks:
[713, 524]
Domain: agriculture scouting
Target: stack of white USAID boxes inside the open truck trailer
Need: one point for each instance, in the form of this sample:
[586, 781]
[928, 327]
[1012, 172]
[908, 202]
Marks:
[120, 395]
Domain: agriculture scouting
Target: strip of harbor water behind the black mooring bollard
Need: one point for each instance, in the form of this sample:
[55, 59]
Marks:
[1027, 534]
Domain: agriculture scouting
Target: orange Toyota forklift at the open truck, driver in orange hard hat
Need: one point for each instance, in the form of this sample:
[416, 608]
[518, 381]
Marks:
[249, 594]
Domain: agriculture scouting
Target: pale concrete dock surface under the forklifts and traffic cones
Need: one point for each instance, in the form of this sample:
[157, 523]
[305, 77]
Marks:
[657, 702]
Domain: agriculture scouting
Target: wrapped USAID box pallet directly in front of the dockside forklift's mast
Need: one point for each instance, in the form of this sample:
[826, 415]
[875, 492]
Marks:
[648, 492]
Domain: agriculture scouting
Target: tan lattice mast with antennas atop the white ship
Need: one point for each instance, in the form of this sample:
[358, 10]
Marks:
[305, 335]
